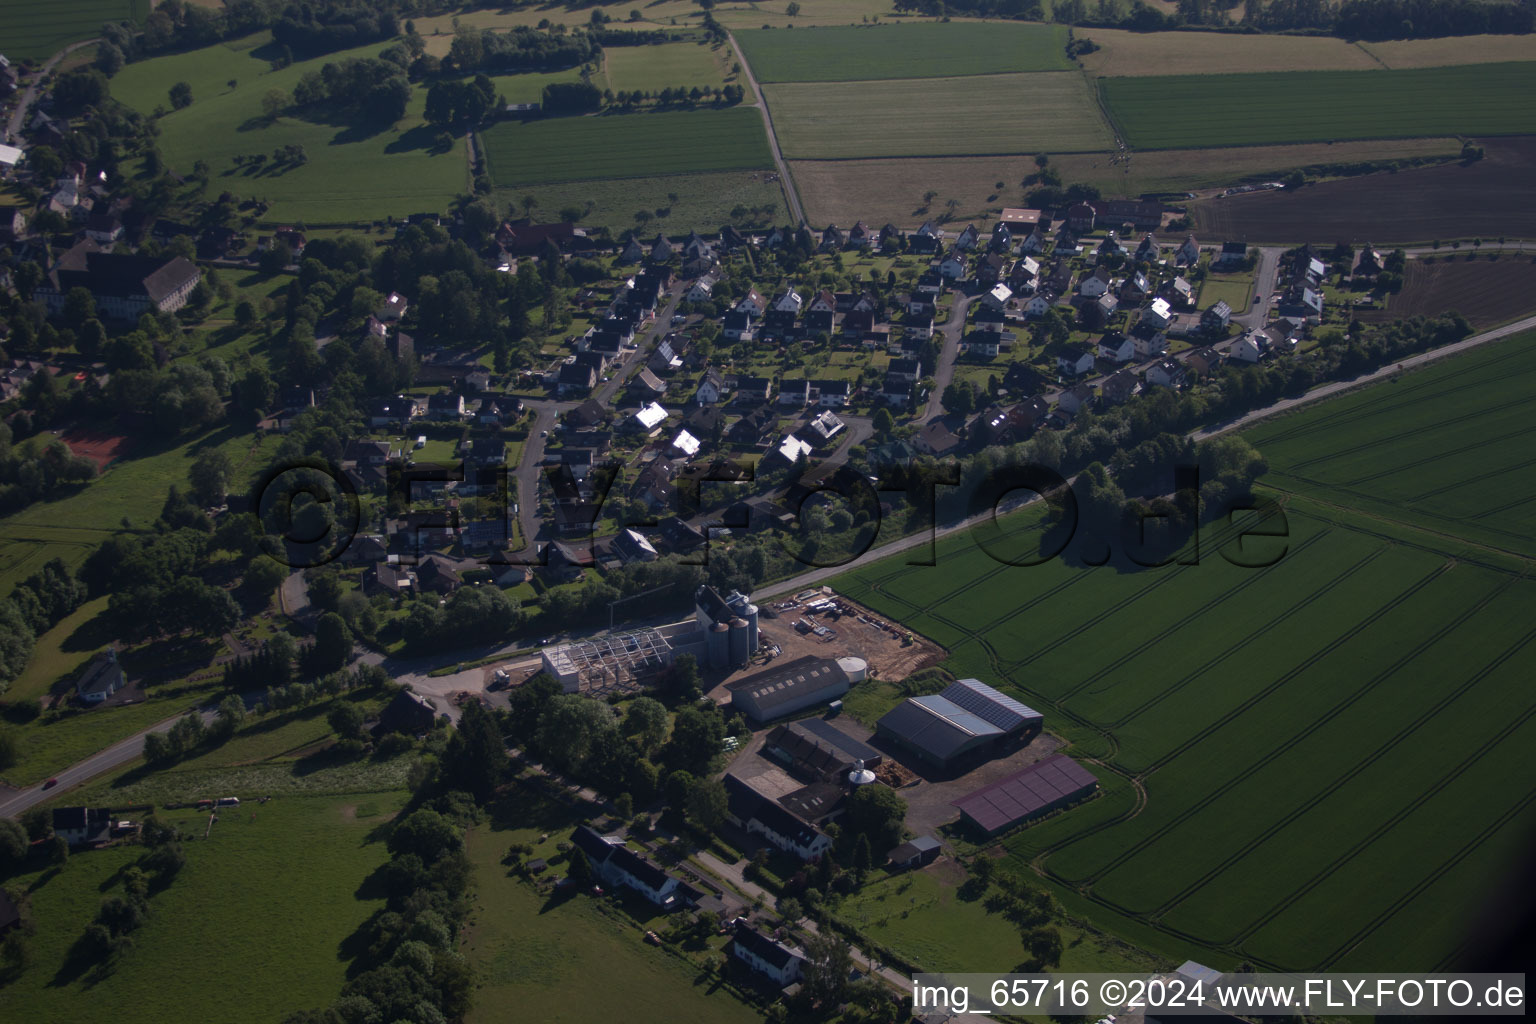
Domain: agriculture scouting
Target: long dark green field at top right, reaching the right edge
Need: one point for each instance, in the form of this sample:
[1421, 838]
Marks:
[1322, 105]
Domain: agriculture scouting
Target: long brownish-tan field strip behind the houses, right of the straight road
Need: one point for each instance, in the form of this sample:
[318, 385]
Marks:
[879, 191]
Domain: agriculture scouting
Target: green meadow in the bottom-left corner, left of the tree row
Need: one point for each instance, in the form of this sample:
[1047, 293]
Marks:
[236, 919]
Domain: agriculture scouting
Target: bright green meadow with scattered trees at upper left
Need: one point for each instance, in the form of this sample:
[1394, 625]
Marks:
[356, 174]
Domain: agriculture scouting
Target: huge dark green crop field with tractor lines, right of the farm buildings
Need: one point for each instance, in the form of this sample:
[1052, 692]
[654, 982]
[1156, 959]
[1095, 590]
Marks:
[1316, 765]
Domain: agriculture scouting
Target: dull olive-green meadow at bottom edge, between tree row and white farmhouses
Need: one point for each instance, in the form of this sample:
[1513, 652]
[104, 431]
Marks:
[535, 957]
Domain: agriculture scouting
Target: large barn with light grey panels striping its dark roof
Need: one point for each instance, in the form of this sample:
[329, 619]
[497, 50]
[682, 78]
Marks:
[964, 725]
